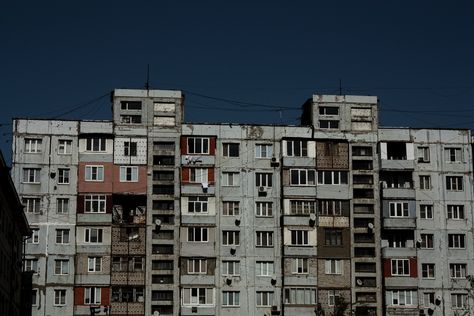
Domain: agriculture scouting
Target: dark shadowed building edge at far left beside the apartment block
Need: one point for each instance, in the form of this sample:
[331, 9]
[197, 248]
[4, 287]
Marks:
[15, 285]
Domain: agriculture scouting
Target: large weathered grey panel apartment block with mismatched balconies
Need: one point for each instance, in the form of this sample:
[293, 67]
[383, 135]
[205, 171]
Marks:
[336, 216]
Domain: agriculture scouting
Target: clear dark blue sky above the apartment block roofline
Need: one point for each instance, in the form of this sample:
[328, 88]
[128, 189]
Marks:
[416, 56]
